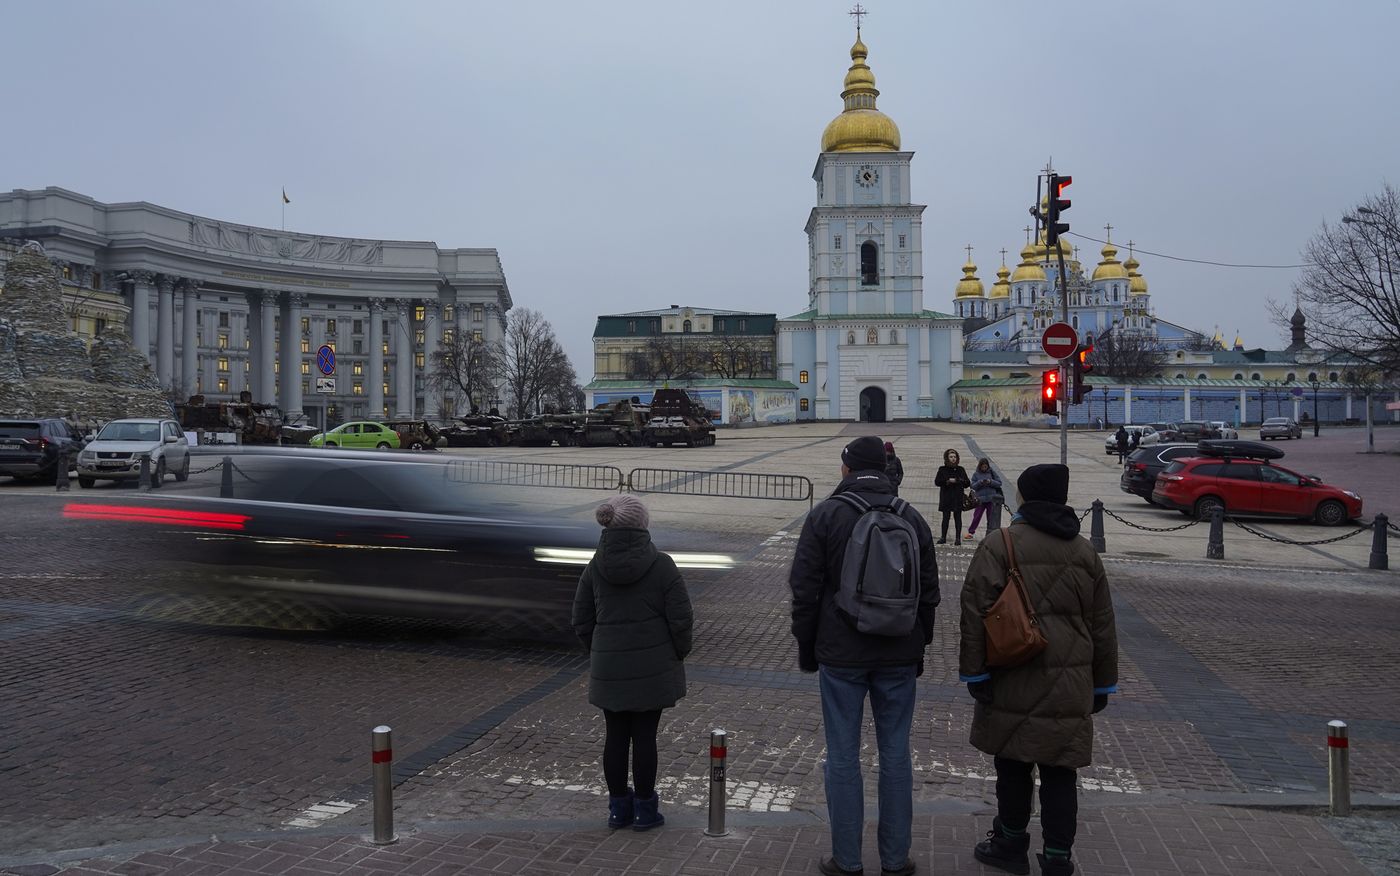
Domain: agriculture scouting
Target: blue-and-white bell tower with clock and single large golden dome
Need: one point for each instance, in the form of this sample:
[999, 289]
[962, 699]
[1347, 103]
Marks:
[866, 349]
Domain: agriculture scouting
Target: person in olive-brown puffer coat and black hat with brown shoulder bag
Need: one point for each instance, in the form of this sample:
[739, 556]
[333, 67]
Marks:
[1037, 716]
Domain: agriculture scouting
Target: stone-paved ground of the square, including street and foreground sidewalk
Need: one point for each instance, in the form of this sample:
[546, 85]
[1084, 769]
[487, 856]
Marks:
[148, 733]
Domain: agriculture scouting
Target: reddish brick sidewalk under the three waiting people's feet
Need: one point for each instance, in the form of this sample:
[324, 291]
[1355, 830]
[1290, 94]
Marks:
[1151, 840]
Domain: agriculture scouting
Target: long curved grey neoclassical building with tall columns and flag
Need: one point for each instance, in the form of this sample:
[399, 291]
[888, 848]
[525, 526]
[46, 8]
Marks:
[220, 309]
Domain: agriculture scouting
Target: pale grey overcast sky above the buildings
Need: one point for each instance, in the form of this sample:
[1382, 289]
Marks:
[633, 155]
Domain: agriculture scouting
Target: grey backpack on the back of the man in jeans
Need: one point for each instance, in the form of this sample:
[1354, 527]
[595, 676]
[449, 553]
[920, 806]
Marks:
[878, 593]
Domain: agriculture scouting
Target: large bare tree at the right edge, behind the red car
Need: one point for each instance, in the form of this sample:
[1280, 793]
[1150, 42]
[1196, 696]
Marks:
[1349, 290]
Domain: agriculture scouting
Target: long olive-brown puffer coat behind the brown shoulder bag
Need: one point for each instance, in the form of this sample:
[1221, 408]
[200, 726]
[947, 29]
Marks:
[1039, 712]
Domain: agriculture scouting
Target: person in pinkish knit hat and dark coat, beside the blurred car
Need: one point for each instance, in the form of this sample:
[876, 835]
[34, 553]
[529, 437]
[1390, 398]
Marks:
[633, 614]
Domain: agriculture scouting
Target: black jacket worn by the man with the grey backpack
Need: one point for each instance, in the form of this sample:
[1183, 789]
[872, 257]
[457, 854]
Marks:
[817, 567]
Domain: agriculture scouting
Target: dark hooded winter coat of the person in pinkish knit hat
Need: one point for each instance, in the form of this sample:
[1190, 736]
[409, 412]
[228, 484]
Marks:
[633, 614]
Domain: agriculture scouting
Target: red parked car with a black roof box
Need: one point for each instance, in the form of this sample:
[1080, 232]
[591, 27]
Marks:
[1241, 478]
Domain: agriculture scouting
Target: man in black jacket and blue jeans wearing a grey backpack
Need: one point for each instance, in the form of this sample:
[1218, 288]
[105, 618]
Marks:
[864, 593]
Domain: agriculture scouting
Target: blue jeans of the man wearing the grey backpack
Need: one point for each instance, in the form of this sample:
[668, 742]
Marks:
[843, 707]
